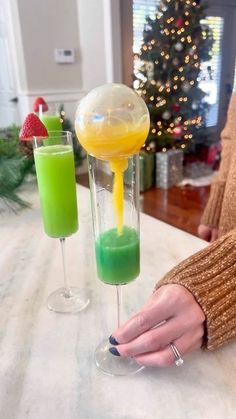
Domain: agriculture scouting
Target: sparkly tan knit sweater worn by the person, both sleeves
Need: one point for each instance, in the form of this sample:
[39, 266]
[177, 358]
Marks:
[210, 275]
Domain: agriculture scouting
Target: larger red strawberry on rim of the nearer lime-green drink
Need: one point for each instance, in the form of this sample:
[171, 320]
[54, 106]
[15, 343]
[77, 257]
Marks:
[32, 127]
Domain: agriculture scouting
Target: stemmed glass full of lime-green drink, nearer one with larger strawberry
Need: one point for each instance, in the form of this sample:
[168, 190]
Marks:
[55, 170]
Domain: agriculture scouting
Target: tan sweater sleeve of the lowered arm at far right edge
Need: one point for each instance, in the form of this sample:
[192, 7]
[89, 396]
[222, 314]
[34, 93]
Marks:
[211, 214]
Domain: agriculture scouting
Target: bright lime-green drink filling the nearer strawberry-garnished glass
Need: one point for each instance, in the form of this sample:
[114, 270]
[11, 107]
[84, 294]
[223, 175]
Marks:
[56, 183]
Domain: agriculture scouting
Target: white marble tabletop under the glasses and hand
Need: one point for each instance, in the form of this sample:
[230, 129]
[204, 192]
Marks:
[47, 369]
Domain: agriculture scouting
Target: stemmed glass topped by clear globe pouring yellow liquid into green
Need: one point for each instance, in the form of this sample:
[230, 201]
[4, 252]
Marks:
[112, 123]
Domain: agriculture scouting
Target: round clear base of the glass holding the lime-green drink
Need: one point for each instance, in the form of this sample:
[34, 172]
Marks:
[68, 301]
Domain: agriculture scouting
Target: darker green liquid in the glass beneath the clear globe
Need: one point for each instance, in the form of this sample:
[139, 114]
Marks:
[117, 256]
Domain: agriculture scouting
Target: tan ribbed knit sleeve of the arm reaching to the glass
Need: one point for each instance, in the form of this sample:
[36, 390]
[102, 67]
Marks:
[210, 275]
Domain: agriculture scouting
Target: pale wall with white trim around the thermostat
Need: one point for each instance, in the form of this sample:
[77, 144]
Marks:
[91, 27]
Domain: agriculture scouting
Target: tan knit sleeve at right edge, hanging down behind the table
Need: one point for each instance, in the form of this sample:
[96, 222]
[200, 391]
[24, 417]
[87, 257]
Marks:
[220, 210]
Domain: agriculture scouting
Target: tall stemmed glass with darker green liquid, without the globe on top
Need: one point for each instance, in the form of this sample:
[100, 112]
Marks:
[117, 253]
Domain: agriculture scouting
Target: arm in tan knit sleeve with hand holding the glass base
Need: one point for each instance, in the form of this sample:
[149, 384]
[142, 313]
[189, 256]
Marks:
[194, 306]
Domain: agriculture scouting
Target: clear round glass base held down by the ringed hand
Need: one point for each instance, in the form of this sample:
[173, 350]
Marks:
[114, 365]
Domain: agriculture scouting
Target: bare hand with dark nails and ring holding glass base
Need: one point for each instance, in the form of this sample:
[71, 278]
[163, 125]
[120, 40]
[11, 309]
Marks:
[170, 315]
